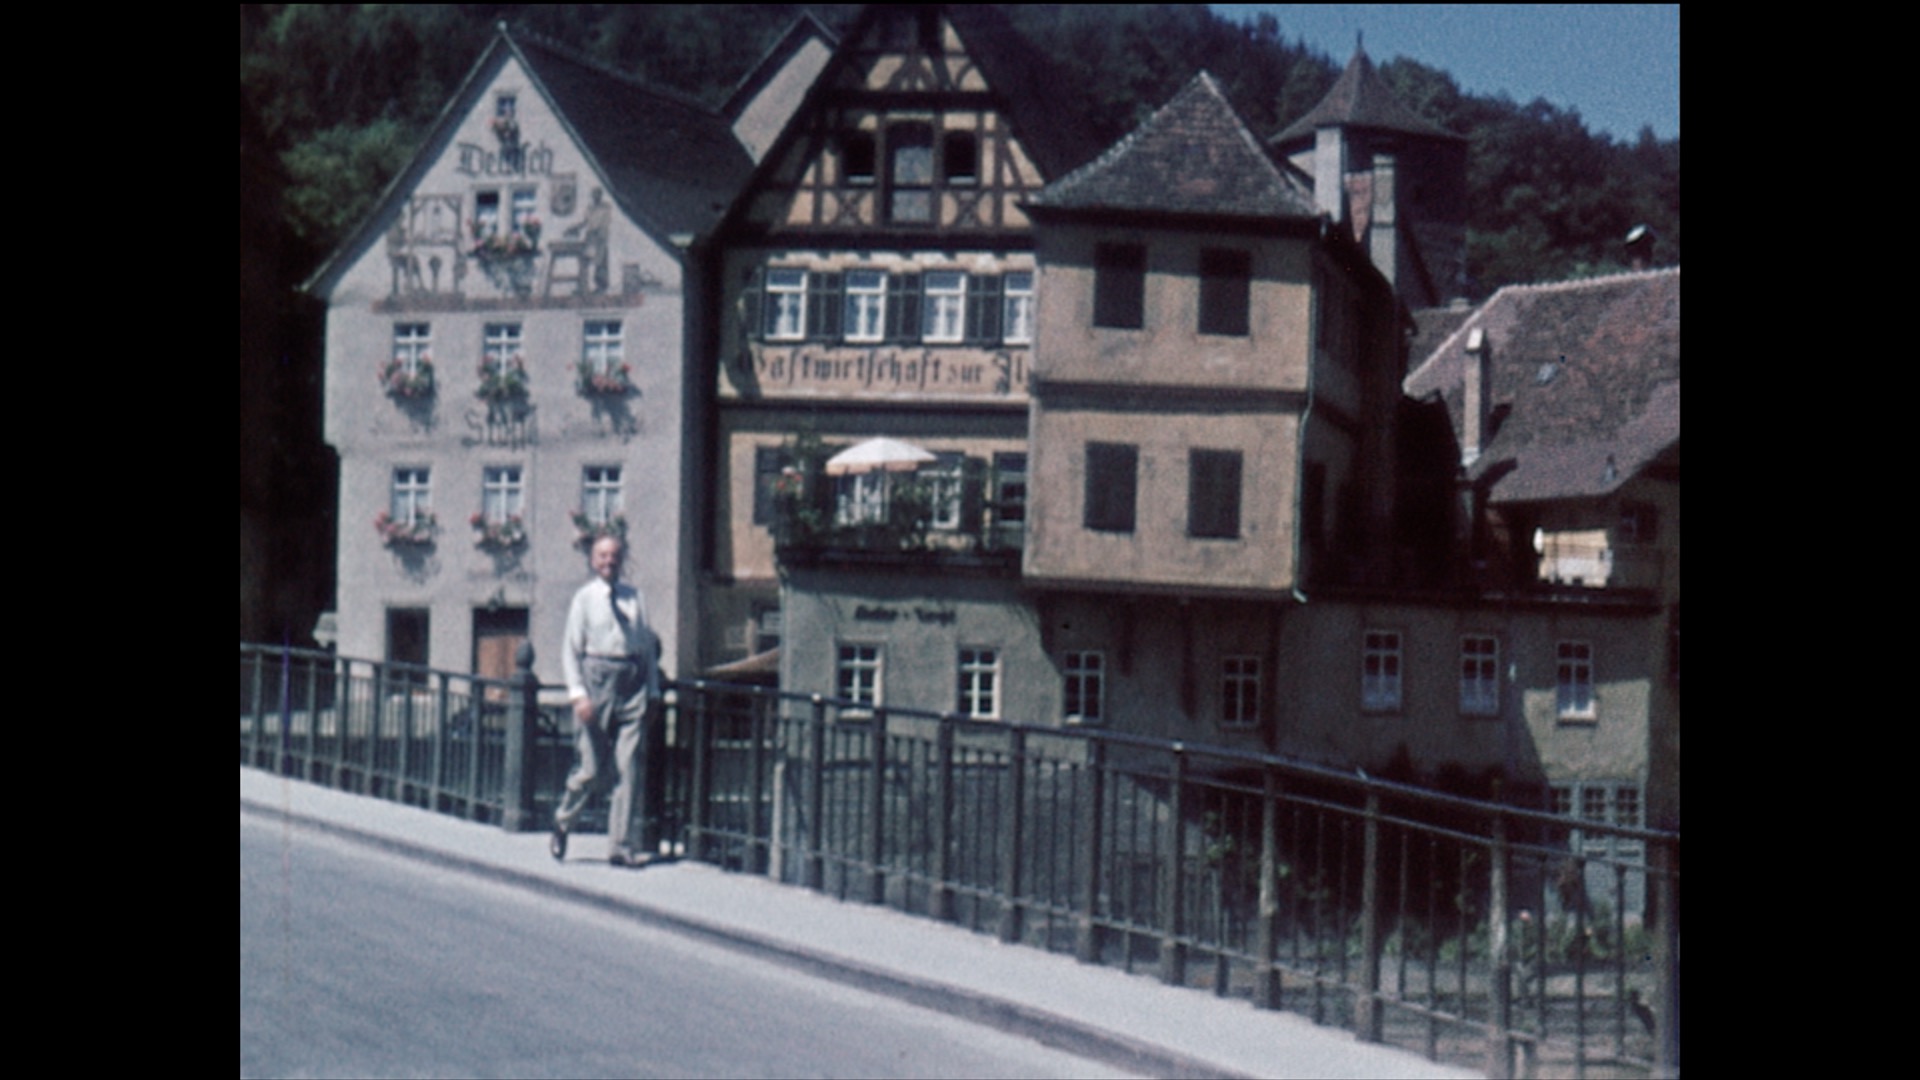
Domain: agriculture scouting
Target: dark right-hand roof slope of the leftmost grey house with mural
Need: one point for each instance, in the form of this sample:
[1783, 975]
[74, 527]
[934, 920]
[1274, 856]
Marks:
[671, 160]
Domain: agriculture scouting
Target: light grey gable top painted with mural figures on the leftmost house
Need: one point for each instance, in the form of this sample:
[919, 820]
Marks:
[502, 220]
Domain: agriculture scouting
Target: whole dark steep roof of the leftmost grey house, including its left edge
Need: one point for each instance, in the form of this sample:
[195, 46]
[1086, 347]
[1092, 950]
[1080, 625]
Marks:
[671, 164]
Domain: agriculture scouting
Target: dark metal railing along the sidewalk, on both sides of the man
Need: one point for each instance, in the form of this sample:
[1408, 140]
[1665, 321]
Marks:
[1477, 933]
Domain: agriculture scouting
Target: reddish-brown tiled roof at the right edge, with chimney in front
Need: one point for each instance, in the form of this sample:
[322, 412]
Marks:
[1589, 380]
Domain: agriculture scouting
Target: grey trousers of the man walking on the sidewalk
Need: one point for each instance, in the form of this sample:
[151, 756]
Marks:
[615, 741]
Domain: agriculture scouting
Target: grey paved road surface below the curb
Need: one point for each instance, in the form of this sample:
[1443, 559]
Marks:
[358, 964]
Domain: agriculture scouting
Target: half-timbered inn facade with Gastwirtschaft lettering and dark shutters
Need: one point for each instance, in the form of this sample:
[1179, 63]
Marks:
[878, 282]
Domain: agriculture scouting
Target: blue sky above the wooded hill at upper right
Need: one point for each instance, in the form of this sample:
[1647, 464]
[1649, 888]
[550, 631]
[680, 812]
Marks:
[1616, 64]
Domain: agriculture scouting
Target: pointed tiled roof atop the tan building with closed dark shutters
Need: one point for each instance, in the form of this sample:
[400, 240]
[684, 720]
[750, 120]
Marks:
[1193, 157]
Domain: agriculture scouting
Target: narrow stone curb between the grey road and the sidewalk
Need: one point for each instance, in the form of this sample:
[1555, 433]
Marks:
[1003, 1016]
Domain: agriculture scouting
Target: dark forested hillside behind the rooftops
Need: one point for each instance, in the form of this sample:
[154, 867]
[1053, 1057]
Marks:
[345, 93]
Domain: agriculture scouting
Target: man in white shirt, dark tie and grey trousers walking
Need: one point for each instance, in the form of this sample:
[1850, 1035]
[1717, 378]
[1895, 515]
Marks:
[613, 677]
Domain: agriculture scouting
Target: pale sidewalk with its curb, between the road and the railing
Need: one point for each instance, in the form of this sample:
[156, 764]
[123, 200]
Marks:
[1130, 1021]
